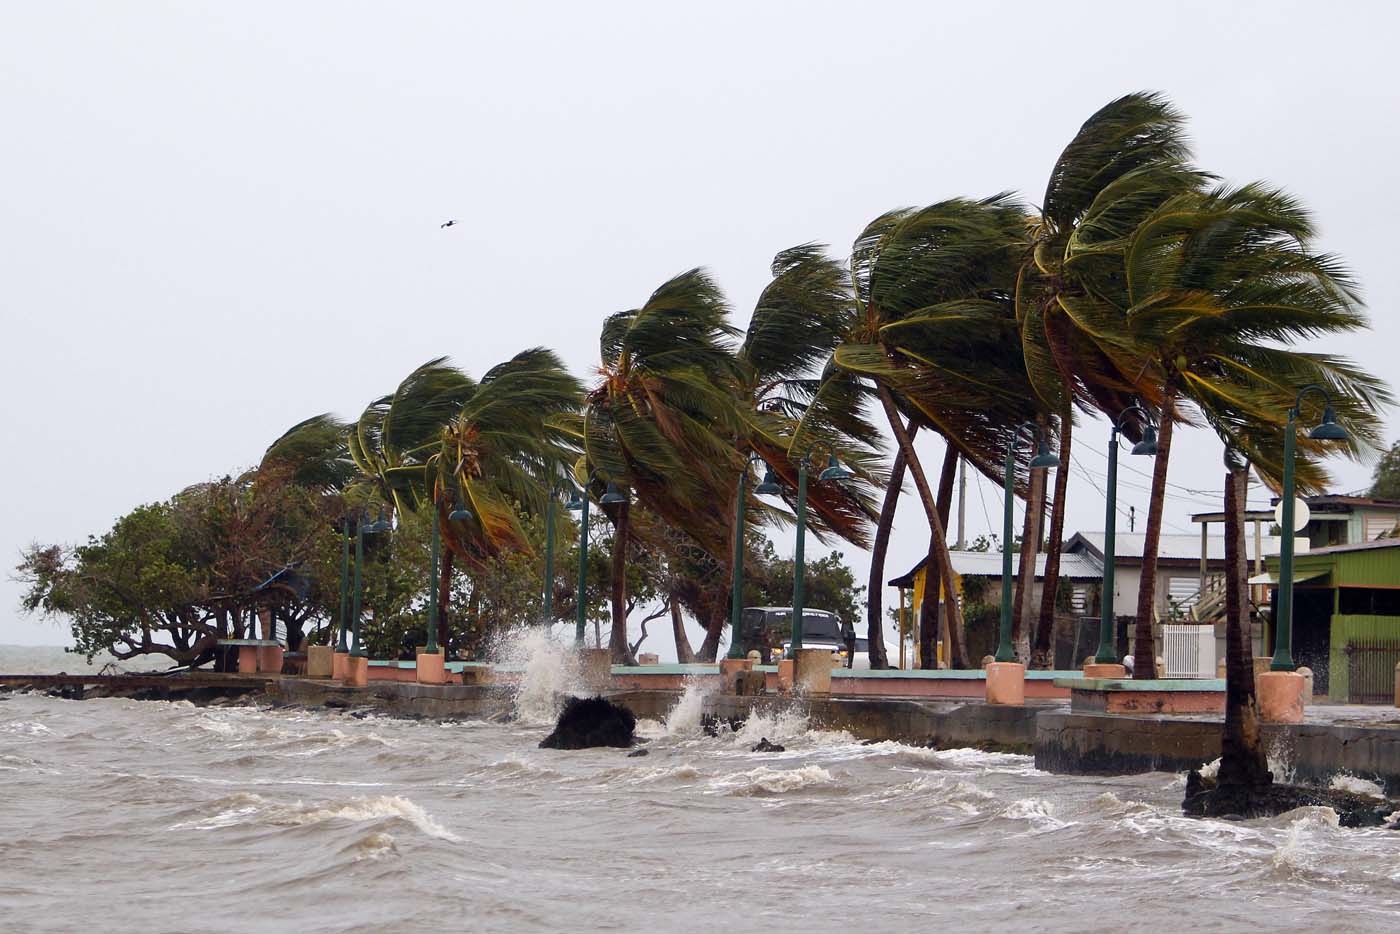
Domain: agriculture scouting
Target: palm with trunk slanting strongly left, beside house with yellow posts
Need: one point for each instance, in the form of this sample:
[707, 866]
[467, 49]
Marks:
[937, 340]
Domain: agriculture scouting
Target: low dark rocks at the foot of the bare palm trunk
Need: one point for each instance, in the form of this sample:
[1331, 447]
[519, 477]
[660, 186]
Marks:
[1205, 799]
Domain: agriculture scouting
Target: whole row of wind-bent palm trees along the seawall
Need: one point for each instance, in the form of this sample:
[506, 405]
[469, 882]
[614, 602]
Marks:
[1140, 281]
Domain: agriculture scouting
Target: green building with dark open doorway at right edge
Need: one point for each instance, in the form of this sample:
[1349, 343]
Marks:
[1346, 618]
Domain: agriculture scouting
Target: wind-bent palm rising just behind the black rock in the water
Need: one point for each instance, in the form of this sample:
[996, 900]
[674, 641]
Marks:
[663, 419]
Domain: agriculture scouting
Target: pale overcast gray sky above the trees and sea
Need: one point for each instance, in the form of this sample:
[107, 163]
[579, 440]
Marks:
[220, 219]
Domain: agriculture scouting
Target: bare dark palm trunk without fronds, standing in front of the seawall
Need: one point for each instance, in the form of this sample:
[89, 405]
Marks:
[1244, 764]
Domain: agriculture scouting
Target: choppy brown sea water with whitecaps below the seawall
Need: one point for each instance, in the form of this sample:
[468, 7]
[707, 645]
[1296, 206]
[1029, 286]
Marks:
[124, 816]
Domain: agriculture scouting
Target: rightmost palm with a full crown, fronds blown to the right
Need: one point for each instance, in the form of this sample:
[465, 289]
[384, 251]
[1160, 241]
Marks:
[1216, 288]
